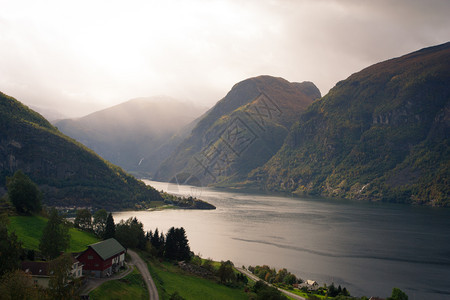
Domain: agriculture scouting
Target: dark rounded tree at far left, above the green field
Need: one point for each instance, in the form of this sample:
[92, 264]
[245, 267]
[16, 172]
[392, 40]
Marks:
[23, 193]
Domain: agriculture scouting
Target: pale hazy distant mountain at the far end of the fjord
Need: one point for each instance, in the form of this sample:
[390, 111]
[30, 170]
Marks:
[136, 135]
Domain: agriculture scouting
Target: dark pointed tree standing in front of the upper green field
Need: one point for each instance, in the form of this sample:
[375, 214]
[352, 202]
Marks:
[55, 237]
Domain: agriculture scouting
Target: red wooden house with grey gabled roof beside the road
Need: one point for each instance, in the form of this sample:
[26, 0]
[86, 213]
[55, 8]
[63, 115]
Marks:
[103, 258]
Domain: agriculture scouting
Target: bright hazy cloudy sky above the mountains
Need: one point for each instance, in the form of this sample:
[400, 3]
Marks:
[79, 56]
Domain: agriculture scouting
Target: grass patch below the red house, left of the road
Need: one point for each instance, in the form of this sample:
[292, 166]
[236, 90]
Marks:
[130, 287]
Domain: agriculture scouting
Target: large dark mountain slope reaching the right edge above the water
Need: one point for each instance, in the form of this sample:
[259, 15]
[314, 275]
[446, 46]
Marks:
[381, 134]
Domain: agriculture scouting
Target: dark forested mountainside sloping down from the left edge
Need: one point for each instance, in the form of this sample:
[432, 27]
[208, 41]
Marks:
[67, 172]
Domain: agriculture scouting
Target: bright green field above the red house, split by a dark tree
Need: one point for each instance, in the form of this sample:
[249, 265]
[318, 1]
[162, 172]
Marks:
[29, 231]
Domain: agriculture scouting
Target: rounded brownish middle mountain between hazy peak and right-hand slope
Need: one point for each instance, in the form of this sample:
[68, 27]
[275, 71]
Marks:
[241, 132]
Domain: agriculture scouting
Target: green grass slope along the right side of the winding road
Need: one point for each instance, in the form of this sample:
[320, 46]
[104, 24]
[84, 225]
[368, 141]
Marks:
[170, 279]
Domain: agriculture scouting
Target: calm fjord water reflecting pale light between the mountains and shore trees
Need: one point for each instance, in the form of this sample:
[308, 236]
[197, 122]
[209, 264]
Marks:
[368, 248]
